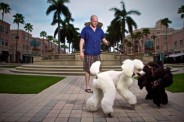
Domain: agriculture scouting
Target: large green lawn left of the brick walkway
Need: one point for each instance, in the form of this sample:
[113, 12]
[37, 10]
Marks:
[26, 84]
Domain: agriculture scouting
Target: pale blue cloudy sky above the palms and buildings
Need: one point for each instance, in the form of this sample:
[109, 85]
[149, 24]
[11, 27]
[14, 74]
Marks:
[34, 12]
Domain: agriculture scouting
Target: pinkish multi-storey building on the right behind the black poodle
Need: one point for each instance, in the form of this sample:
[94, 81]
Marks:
[160, 42]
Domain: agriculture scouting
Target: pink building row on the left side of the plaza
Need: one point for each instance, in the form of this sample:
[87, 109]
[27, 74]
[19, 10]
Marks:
[12, 41]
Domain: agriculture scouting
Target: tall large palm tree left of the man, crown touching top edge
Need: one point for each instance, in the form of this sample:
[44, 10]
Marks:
[58, 7]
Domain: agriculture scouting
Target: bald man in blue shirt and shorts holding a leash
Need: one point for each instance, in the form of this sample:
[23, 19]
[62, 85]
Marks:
[90, 47]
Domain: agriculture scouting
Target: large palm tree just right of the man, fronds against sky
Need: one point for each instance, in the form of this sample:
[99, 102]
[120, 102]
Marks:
[123, 19]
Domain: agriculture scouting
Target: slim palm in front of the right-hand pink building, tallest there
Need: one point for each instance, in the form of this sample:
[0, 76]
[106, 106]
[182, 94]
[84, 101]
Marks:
[166, 22]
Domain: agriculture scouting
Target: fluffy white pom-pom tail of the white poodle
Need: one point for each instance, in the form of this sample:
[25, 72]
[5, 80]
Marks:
[95, 68]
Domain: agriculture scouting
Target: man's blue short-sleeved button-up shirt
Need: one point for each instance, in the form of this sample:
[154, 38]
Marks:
[92, 40]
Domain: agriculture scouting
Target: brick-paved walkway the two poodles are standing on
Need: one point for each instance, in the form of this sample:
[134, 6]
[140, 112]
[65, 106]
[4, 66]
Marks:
[65, 101]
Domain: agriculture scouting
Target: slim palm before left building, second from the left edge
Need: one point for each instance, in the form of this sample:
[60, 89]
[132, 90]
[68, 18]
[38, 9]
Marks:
[18, 19]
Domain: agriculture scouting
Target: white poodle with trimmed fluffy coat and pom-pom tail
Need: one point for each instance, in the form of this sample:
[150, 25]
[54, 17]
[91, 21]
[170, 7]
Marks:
[106, 83]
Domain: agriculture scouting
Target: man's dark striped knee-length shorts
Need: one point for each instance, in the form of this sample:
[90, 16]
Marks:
[88, 60]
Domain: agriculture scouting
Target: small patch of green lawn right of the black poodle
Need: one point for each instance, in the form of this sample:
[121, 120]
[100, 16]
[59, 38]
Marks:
[178, 83]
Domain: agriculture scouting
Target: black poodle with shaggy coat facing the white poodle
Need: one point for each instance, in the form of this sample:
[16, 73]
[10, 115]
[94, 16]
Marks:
[155, 79]
